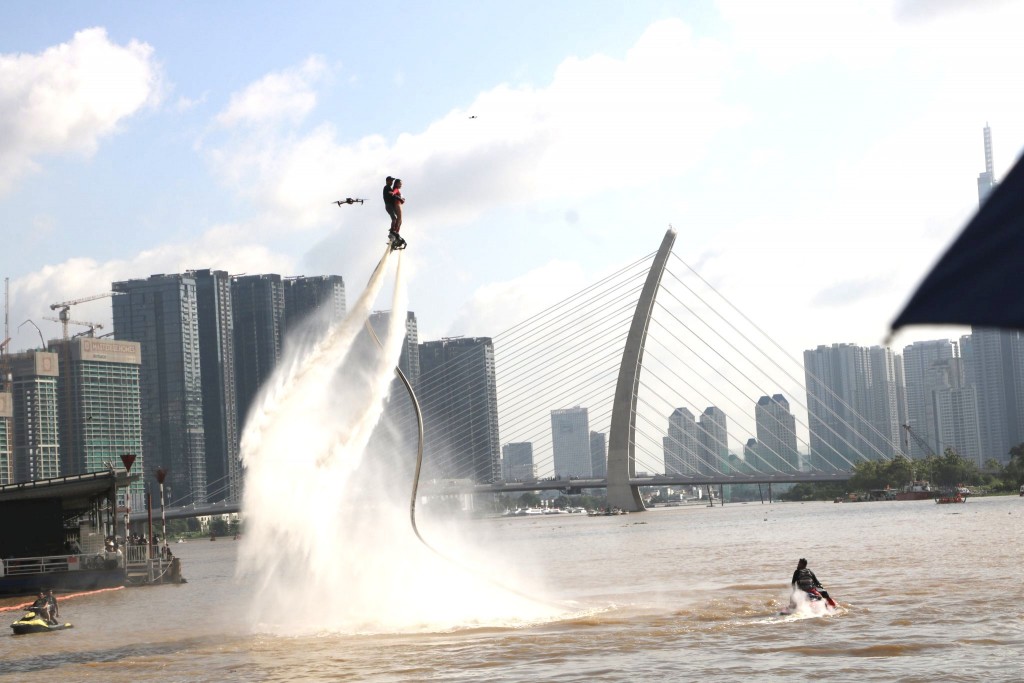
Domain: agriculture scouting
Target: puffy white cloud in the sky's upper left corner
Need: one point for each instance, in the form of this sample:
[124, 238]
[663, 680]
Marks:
[68, 98]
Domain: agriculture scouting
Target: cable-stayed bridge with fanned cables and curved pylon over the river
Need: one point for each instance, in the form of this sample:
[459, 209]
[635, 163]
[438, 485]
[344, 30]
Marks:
[650, 377]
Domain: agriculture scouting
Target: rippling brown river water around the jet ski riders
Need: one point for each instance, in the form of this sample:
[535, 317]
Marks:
[927, 593]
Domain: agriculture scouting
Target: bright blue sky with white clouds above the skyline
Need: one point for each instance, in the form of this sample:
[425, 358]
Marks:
[816, 158]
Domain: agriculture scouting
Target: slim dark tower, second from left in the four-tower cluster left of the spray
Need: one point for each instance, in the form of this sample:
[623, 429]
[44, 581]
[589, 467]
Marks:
[221, 405]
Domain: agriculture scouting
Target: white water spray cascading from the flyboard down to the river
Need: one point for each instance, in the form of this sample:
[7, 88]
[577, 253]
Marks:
[329, 547]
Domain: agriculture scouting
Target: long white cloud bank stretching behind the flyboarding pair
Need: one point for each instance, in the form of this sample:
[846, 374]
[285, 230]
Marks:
[602, 123]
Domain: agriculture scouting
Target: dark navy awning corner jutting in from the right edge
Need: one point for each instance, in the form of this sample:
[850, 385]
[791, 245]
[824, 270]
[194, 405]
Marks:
[978, 281]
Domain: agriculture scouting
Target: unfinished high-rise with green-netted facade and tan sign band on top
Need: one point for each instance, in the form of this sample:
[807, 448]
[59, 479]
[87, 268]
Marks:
[101, 408]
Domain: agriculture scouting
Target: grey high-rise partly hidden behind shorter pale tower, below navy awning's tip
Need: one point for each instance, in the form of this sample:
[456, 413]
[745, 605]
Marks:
[918, 361]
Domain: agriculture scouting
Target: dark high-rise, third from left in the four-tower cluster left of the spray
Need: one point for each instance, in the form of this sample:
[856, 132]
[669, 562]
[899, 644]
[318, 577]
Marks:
[259, 309]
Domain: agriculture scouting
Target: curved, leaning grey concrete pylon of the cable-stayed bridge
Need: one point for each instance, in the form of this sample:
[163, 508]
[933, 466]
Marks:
[622, 442]
